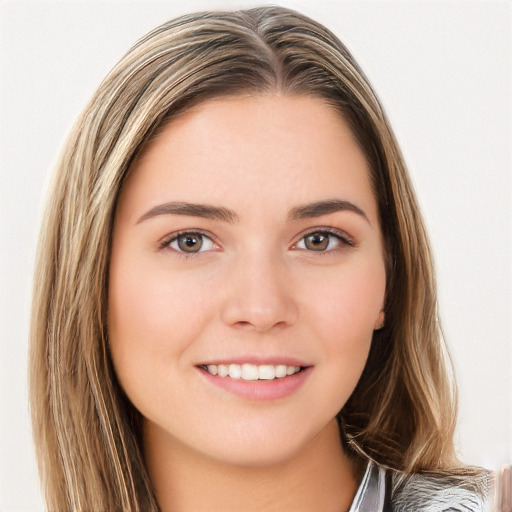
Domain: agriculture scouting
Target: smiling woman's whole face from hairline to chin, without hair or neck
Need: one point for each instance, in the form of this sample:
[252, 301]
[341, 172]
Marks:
[246, 241]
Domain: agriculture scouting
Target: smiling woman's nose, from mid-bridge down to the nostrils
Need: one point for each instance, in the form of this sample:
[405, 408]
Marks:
[259, 295]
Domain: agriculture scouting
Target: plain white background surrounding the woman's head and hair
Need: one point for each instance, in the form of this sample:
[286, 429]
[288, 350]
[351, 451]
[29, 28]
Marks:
[442, 70]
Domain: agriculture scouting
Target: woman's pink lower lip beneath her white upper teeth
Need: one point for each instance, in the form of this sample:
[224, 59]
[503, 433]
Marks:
[260, 390]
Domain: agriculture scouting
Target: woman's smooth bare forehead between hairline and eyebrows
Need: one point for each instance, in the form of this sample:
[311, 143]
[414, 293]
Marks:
[250, 150]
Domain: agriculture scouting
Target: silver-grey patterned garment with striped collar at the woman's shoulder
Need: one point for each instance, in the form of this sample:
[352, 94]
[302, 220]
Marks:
[382, 491]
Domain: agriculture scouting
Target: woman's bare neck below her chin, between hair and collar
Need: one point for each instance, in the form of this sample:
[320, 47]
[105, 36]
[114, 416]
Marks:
[320, 477]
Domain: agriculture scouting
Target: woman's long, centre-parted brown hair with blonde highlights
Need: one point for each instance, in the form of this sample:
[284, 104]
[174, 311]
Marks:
[87, 434]
